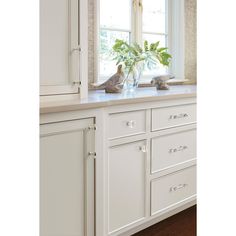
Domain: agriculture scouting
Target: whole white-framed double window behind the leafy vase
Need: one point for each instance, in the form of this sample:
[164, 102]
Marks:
[136, 21]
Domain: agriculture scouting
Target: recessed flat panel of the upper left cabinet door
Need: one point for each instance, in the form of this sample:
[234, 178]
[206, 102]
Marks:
[54, 42]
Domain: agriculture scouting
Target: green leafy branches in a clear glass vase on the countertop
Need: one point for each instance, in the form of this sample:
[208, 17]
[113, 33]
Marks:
[135, 59]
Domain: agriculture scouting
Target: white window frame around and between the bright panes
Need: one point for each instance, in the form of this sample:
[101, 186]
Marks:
[175, 35]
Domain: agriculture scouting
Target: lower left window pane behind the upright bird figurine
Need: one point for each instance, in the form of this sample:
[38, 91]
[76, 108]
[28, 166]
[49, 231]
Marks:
[107, 40]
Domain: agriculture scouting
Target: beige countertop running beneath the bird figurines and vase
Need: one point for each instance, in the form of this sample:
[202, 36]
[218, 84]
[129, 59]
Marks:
[99, 98]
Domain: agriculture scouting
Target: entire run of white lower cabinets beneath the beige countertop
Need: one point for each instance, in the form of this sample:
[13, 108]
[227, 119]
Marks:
[136, 180]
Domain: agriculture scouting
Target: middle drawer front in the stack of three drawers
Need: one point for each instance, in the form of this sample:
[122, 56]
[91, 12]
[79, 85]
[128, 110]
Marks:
[173, 149]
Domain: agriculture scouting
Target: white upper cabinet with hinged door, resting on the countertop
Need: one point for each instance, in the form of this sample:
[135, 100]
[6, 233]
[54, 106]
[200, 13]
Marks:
[63, 47]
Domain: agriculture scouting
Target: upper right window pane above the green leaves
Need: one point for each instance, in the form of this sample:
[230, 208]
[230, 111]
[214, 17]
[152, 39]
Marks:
[154, 16]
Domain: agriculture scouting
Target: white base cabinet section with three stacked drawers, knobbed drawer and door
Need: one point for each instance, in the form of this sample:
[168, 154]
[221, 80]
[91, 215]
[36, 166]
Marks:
[151, 163]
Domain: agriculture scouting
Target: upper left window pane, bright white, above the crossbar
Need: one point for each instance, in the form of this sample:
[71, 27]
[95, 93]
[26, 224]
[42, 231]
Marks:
[115, 14]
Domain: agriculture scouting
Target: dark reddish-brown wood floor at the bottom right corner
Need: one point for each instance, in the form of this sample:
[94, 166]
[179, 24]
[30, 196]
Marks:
[181, 224]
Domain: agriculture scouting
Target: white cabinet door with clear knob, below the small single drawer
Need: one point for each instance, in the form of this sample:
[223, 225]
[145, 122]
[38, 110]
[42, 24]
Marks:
[126, 190]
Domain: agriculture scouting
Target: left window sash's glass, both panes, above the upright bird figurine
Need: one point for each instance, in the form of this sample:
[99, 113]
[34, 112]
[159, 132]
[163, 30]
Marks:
[115, 22]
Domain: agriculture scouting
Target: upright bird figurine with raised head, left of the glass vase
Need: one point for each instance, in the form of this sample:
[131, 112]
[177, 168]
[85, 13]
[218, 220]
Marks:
[114, 83]
